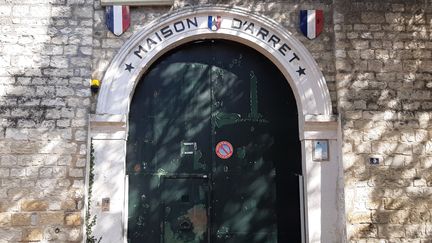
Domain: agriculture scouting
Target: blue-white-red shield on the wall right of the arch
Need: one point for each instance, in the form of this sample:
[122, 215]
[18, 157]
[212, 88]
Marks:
[311, 23]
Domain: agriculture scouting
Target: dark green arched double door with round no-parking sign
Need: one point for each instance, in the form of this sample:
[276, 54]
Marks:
[213, 150]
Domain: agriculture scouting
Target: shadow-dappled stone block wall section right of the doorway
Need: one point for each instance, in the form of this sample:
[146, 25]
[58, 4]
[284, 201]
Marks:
[383, 60]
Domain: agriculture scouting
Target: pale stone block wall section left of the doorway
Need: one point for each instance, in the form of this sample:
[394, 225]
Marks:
[45, 65]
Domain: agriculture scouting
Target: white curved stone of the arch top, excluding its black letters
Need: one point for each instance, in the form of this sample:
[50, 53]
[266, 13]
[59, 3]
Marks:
[117, 86]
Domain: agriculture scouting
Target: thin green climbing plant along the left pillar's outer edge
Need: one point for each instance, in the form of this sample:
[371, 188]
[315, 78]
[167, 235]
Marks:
[90, 221]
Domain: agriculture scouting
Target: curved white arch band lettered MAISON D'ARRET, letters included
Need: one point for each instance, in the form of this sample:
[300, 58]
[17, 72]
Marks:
[188, 24]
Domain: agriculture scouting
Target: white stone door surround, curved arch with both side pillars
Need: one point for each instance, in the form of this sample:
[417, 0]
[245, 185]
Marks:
[316, 121]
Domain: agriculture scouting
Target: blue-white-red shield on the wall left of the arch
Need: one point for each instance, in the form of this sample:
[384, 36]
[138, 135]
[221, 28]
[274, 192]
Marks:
[117, 19]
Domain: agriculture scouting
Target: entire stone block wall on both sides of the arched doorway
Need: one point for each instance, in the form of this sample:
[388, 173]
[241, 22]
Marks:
[376, 57]
